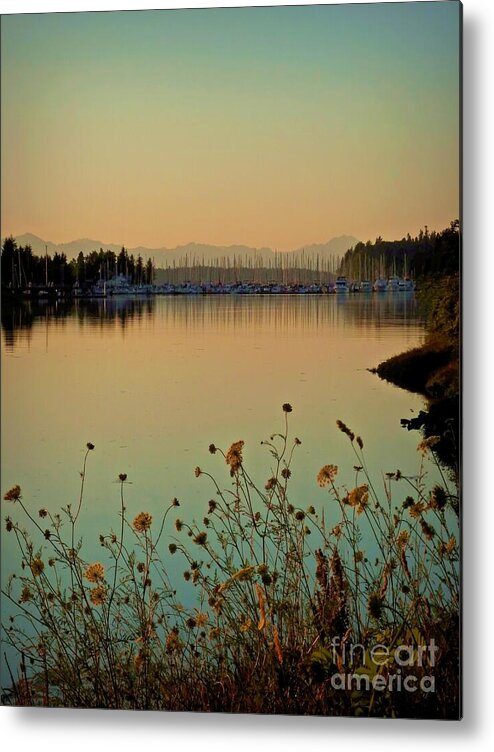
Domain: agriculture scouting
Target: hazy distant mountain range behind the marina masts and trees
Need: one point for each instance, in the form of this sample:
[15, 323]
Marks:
[164, 256]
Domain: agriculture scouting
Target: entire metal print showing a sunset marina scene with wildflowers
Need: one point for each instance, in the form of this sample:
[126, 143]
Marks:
[230, 277]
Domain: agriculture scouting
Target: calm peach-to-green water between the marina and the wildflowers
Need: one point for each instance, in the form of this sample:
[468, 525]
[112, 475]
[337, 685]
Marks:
[153, 382]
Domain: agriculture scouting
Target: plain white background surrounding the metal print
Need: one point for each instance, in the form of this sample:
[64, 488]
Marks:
[40, 730]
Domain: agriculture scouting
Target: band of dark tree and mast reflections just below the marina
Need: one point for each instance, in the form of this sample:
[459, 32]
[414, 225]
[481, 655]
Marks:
[233, 312]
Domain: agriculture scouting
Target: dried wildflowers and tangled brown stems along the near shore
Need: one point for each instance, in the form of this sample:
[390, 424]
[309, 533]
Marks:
[288, 602]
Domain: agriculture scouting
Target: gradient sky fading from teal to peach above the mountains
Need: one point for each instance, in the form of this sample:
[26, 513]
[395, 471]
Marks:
[275, 126]
